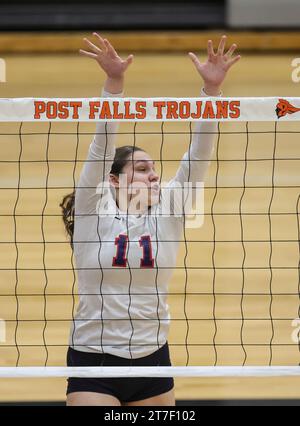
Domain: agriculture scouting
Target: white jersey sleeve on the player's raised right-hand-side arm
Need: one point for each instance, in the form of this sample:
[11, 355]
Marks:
[193, 166]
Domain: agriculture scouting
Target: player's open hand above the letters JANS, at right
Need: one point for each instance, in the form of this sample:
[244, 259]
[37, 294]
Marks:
[214, 70]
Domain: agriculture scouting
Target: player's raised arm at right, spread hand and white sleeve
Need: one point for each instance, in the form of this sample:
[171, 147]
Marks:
[213, 73]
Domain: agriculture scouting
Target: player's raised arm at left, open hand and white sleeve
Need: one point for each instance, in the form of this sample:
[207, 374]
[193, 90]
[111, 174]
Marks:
[102, 150]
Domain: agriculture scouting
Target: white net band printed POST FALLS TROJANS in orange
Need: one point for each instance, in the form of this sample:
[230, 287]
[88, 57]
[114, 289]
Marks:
[150, 109]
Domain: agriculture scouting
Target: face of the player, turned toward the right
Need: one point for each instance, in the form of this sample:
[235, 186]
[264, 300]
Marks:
[140, 172]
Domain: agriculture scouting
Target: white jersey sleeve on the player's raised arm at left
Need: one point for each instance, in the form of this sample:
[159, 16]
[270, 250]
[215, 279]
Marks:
[95, 172]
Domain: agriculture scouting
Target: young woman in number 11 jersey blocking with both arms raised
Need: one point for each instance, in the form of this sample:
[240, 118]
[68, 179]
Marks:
[125, 258]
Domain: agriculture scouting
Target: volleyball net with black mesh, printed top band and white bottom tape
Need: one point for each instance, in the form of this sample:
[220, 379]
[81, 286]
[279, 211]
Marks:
[234, 295]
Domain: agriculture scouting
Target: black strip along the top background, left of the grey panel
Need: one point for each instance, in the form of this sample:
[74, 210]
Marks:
[111, 14]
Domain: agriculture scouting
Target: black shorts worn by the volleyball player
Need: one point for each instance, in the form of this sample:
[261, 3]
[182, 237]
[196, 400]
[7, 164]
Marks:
[124, 389]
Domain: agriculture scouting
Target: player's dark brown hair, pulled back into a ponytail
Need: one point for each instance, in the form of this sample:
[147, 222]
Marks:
[67, 205]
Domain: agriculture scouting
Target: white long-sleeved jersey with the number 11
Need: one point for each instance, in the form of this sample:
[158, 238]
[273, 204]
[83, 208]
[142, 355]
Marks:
[125, 262]
